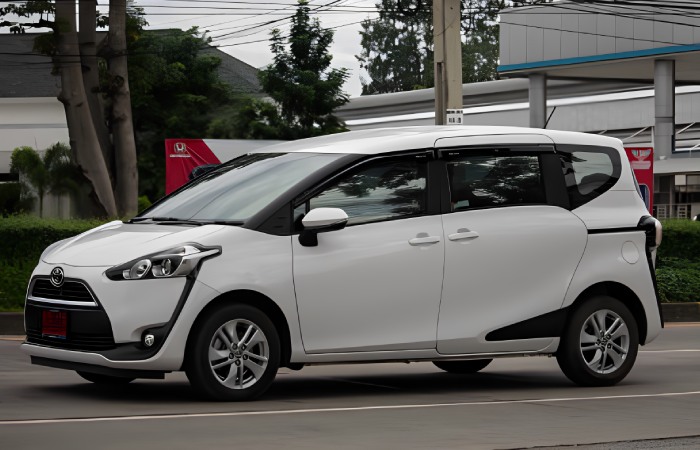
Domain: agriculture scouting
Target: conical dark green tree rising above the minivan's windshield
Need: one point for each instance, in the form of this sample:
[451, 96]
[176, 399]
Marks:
[300, 82]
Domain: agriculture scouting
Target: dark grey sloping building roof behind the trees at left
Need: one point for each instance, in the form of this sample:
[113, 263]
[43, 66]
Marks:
[24, 73]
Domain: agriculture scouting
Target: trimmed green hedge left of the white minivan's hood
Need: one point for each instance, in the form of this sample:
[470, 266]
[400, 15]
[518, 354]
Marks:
[22, 239]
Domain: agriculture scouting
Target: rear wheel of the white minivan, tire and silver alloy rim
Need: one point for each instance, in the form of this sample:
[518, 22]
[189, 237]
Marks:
[591, 355]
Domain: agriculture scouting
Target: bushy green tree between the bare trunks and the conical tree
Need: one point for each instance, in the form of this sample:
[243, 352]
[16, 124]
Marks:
[176, 92]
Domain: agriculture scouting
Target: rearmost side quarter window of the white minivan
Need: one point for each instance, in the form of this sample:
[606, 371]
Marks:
[589, 171]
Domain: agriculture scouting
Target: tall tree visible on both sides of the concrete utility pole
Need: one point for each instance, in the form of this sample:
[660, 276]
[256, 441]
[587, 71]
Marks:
[397, 48]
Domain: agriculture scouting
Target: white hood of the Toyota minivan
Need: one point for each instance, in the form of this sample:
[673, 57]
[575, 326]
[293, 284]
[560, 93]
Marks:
[117, 242]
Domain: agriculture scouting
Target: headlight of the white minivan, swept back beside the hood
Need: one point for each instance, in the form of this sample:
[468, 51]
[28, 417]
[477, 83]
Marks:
[177, 262]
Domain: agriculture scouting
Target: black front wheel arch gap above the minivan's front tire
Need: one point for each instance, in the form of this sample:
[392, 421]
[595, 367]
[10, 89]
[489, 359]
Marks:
[256, 300]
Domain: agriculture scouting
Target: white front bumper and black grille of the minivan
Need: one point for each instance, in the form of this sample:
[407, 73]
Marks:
[107, 330]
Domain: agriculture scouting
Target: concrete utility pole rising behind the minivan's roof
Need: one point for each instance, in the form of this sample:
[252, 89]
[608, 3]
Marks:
[448, 62]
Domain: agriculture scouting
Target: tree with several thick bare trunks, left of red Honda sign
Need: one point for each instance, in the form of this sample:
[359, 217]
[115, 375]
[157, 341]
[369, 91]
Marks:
[100, 133]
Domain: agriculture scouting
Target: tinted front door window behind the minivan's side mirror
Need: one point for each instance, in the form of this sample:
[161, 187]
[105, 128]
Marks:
[379, 190]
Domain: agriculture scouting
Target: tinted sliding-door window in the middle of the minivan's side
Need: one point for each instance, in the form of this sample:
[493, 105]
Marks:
[478, 181]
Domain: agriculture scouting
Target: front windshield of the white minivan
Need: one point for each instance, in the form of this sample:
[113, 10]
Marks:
[239, 189]
